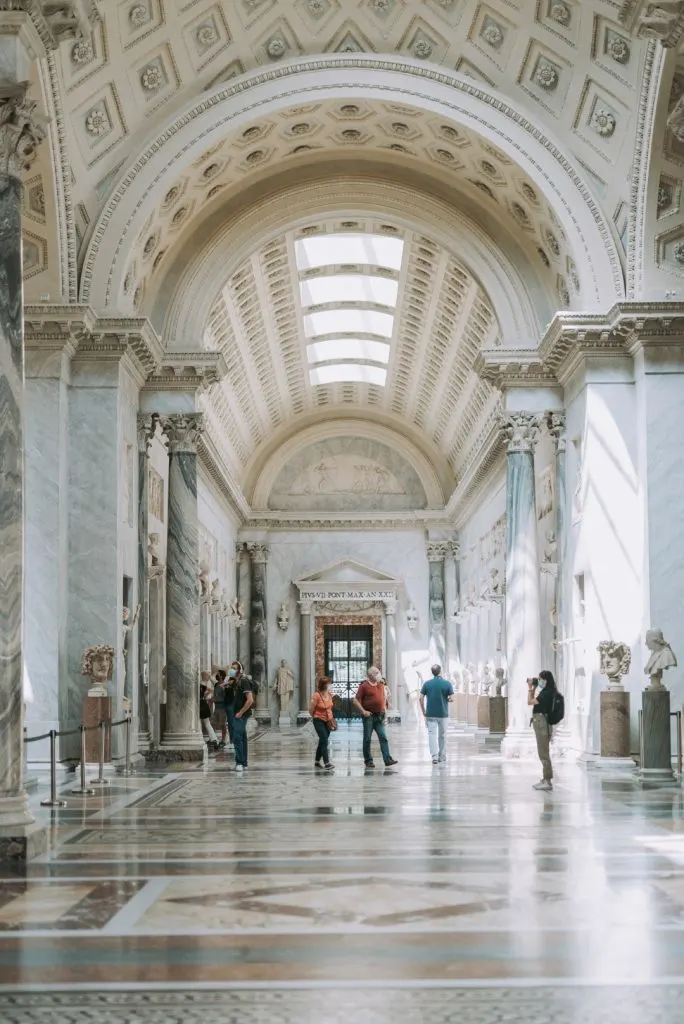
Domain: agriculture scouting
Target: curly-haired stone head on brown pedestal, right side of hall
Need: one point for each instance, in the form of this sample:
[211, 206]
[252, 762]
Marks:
[616, 742]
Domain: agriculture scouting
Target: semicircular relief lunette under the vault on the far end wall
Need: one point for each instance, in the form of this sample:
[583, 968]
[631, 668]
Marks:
[348, 474]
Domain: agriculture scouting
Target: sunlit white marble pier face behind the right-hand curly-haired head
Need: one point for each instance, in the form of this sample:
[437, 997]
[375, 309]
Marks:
[605, 543]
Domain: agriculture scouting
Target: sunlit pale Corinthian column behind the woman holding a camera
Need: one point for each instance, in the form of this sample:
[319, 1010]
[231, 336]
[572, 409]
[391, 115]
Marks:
[523, 579]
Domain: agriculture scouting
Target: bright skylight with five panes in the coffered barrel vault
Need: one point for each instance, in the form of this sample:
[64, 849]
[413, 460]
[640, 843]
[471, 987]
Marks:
[349, 317]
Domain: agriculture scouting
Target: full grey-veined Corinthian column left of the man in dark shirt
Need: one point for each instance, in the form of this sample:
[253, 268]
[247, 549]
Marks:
[183, 738]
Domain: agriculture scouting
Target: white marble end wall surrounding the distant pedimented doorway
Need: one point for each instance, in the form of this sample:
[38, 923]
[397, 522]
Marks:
[401, 554]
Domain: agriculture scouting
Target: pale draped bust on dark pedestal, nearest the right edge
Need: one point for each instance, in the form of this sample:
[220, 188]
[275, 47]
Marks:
[656, 745]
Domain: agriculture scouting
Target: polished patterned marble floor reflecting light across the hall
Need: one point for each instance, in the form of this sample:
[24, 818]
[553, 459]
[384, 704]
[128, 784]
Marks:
[422, 893]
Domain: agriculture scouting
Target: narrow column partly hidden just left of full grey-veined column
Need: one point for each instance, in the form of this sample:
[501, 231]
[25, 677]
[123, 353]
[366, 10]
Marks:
[147, 429]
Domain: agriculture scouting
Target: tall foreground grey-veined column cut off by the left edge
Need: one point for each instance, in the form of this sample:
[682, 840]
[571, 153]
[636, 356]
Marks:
[20, 137]
